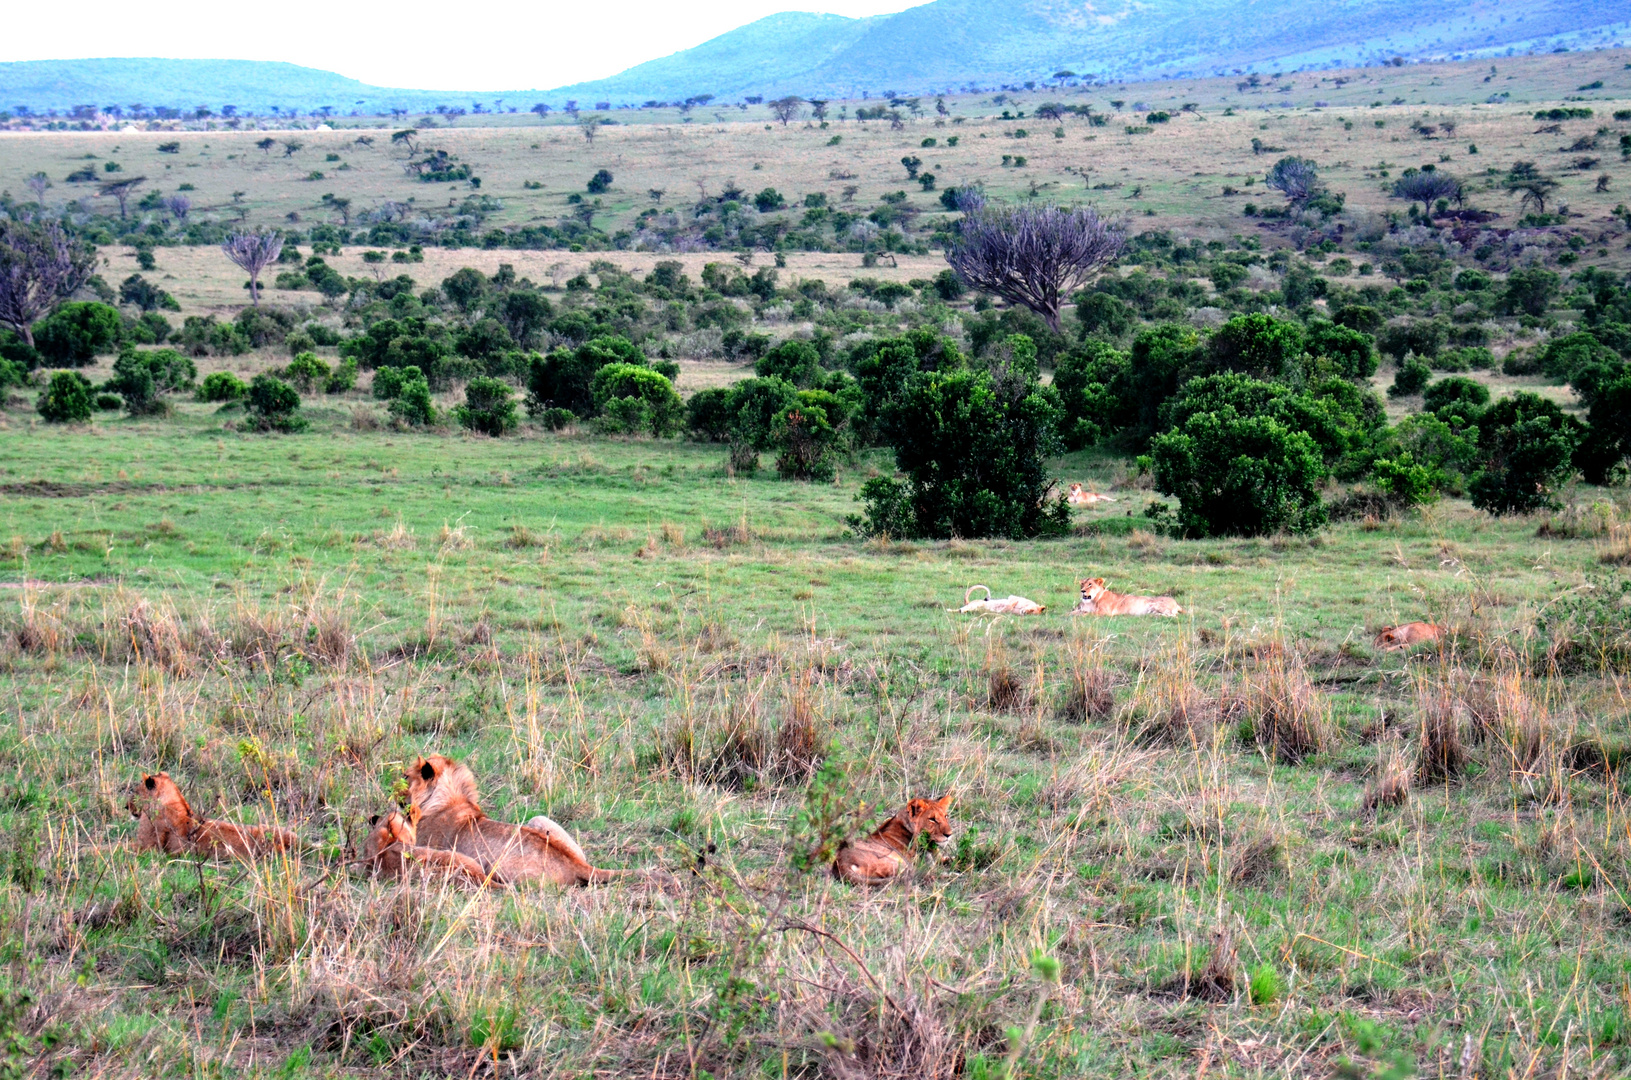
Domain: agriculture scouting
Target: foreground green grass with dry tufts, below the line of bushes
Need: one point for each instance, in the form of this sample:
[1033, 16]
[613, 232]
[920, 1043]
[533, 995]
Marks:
[554, 611]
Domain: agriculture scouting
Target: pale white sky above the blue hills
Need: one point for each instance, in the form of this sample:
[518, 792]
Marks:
[498, 45]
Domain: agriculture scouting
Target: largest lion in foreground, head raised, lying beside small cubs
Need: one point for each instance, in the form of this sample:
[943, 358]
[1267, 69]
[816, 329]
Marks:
[446, 813]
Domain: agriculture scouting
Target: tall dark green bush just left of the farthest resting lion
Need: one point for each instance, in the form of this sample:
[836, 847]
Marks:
[975, 451]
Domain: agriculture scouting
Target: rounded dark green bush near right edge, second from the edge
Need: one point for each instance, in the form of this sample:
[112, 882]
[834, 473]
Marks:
[1526, 449]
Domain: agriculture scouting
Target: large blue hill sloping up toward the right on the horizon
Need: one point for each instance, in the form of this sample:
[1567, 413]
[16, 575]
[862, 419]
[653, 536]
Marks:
[948, 45]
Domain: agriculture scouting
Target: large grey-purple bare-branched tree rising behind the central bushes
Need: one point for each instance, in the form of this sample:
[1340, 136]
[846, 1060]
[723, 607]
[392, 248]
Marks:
[1035, 255]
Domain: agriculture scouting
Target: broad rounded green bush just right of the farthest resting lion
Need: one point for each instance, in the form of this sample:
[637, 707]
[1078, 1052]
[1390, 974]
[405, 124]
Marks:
[1240, 476]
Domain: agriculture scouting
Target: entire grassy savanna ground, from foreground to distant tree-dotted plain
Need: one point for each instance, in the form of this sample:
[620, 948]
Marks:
[1242, 843]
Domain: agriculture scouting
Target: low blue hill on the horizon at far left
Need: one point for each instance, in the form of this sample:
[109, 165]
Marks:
[250, 86]
